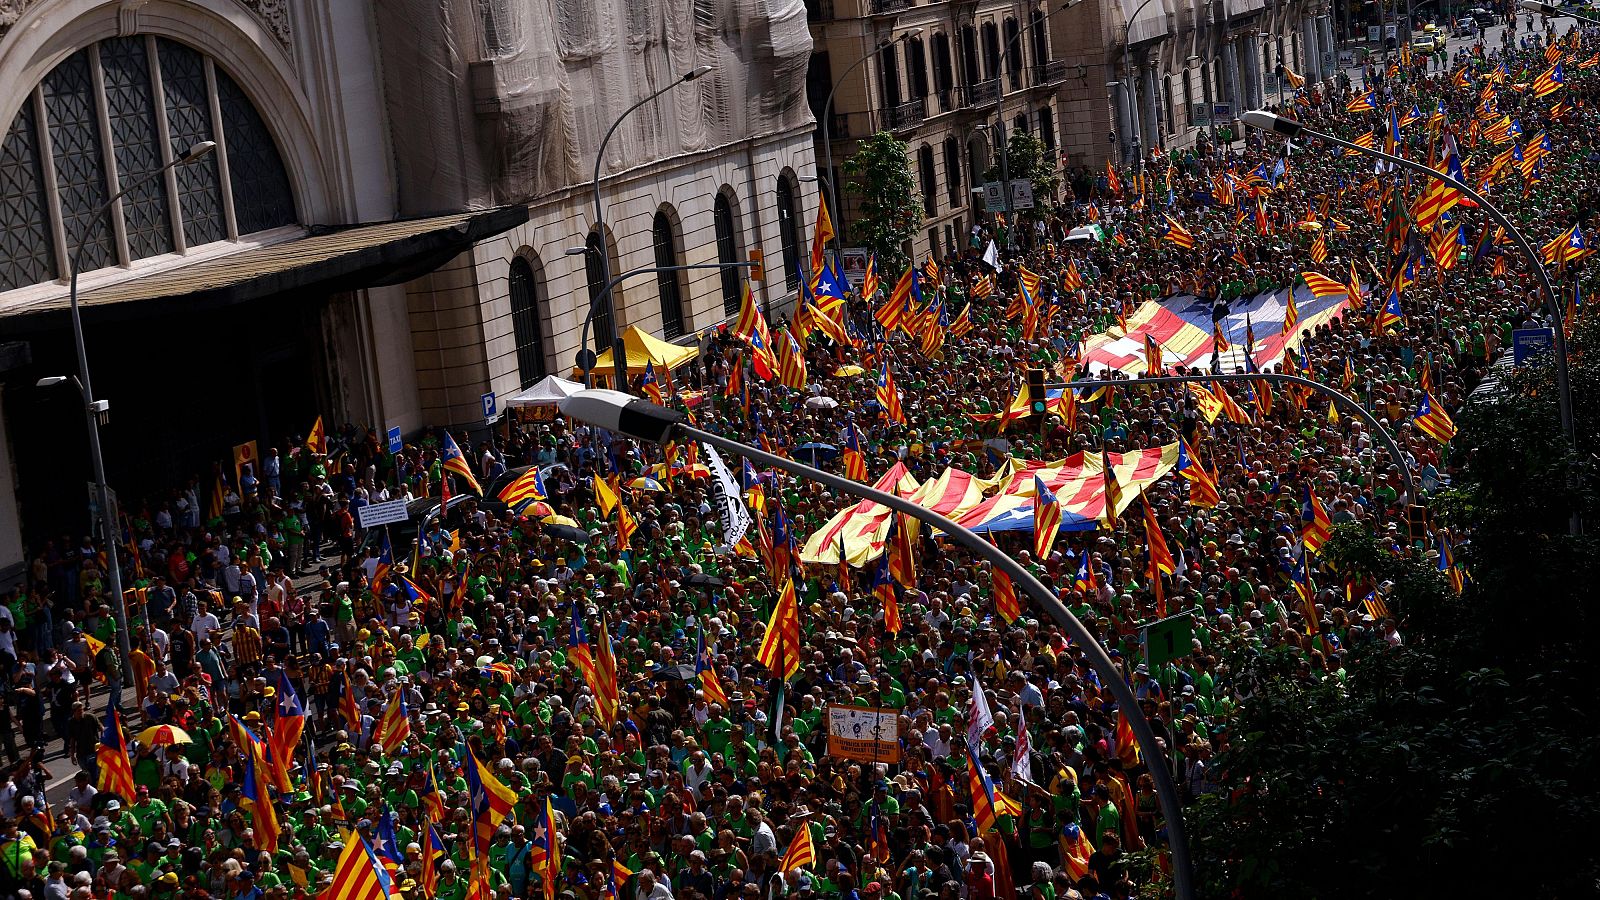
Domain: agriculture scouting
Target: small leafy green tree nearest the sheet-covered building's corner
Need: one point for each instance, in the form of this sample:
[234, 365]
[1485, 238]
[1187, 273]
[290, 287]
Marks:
[890, 207]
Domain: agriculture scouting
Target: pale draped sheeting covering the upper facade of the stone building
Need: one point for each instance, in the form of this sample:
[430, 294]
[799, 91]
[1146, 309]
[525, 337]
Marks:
[503, 102]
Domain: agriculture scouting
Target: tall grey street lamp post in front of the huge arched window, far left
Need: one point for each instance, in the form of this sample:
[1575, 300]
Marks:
[94, 411]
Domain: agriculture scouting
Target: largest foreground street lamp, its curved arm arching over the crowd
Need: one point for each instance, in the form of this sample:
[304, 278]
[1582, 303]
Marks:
[647, 422]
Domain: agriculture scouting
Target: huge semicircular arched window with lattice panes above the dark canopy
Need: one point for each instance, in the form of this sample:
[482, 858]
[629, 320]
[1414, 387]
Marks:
[238, 191]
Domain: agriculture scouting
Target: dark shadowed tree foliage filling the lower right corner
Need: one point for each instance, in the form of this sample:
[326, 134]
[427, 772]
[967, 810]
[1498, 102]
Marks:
[1465, 761]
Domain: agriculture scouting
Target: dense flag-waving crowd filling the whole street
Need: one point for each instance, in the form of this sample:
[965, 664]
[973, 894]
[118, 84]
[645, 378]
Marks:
[577, 683]
